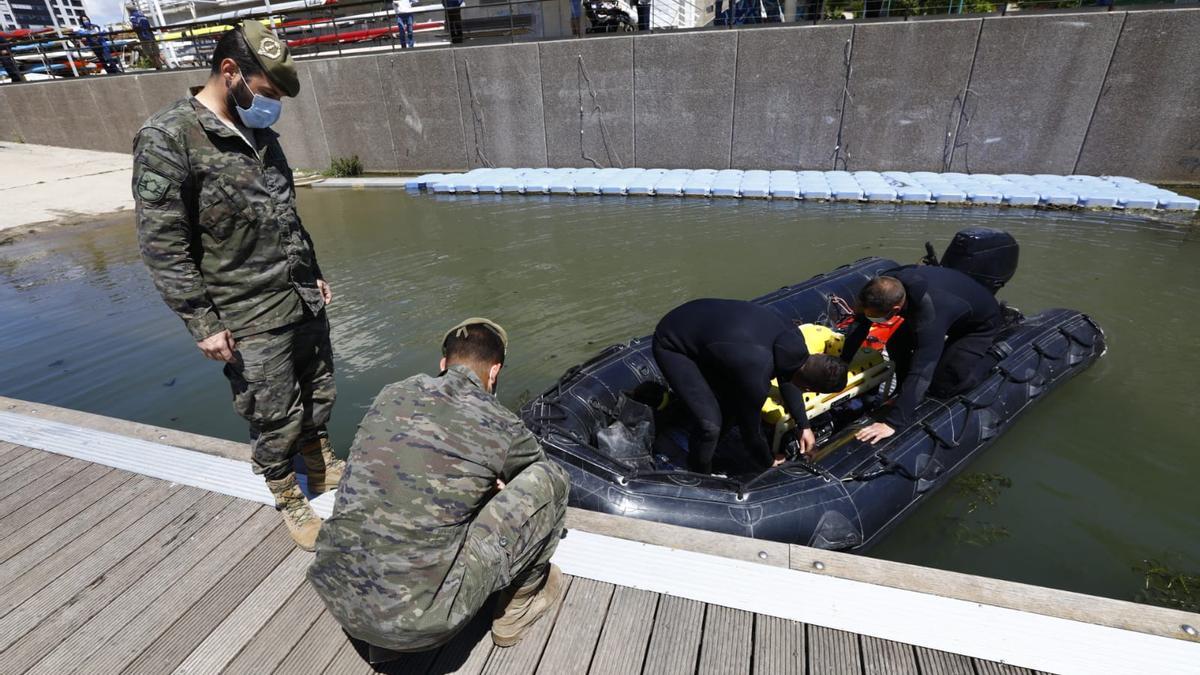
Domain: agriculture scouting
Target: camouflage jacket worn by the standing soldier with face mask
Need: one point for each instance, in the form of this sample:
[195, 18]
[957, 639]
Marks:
[218, 224]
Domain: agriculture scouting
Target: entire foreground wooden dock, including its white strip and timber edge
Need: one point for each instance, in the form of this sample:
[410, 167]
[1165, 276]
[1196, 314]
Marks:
[127, 548]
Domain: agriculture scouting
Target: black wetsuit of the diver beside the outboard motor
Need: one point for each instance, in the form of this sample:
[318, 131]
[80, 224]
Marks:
[943, 348]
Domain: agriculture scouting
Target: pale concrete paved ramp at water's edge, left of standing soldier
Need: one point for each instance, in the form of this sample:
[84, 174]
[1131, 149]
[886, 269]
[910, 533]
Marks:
[43, 183]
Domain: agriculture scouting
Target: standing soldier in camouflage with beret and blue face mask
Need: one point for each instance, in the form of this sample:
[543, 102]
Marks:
[218, 228]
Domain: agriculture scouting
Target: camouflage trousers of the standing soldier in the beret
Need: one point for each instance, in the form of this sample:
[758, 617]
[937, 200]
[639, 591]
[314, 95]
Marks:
[284, 386]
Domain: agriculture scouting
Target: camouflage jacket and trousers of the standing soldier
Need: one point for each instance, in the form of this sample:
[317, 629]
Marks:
[218, 228]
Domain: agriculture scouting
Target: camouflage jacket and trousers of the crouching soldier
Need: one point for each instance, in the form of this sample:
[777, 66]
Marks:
[419, 537]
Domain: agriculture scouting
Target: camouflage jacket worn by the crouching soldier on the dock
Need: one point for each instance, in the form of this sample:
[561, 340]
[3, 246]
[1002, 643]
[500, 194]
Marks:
[423, 465]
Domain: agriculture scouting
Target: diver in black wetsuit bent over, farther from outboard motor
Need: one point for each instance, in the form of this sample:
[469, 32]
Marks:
[719, 359]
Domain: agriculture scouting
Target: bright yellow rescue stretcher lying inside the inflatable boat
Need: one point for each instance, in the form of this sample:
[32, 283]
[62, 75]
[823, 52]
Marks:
[867, 372]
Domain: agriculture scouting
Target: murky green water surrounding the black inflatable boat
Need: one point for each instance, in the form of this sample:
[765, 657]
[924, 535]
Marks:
[1103, 471]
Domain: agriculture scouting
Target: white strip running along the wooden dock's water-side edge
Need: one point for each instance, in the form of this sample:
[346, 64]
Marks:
[981, 631]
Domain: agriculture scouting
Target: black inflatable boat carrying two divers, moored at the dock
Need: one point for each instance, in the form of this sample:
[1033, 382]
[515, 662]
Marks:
[626, 461]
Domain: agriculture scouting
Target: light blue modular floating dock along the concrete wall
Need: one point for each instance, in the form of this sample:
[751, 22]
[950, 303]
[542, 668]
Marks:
[859, 187]
